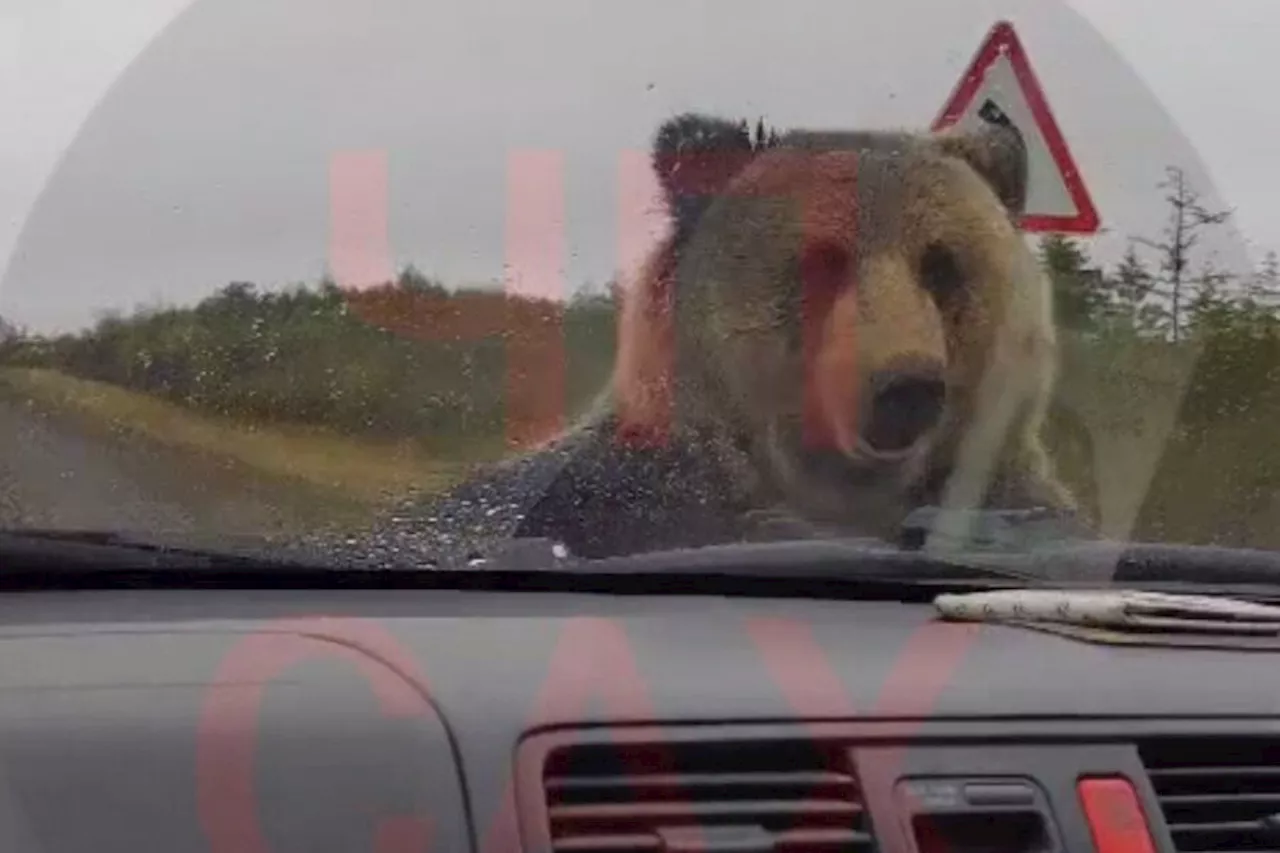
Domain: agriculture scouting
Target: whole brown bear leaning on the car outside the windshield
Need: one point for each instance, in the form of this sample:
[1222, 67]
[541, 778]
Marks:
[839, 329]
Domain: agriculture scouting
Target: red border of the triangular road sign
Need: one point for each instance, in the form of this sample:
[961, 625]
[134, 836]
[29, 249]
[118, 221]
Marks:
[1003, 39]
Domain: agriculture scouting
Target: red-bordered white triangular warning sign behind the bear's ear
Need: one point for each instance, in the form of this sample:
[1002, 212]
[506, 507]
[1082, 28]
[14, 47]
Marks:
[1000, 86]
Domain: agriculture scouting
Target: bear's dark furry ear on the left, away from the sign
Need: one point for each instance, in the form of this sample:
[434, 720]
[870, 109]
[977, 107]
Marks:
[696, 157]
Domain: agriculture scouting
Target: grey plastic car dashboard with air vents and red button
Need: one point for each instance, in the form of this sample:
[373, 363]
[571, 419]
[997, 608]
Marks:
[557, 723]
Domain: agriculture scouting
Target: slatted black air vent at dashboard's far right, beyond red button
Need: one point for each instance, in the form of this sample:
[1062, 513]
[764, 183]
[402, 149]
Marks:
[1218, 795]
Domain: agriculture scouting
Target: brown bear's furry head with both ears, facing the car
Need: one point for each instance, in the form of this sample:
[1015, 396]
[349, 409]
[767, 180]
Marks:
[844, 318]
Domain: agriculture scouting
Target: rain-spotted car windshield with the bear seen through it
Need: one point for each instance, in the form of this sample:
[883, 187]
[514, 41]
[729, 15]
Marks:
[409, 280]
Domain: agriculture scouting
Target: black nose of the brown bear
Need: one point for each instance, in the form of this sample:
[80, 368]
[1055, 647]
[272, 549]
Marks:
[906, 404]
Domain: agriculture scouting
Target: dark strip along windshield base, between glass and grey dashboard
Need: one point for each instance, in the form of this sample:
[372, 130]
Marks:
[820, 568]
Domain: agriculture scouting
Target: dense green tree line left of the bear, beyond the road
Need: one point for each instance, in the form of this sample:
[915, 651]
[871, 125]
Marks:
[408, 359]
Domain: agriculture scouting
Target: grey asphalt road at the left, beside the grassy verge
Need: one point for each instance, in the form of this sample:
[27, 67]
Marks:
[58, 472]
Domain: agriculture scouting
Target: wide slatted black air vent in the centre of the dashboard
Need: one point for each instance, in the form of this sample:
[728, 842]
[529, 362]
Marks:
[692, 799]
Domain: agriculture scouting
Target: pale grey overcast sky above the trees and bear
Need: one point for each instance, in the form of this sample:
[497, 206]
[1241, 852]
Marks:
[156, 150]
